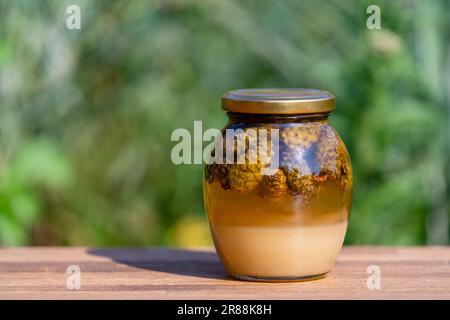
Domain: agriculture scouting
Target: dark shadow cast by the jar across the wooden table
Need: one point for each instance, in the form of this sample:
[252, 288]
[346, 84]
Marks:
[186, 262]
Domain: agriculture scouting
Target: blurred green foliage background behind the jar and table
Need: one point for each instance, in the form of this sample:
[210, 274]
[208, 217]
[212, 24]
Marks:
[86, 115]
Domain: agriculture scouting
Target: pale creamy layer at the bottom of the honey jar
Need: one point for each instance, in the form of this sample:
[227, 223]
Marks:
[295, 251]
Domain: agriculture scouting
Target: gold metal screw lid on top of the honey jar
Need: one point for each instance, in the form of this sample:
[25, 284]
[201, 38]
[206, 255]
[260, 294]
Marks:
[278, 101]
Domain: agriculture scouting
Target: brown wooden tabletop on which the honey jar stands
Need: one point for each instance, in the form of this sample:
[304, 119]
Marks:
[157, 273]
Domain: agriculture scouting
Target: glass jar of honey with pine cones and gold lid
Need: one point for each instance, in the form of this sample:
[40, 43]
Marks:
[286, 218]
